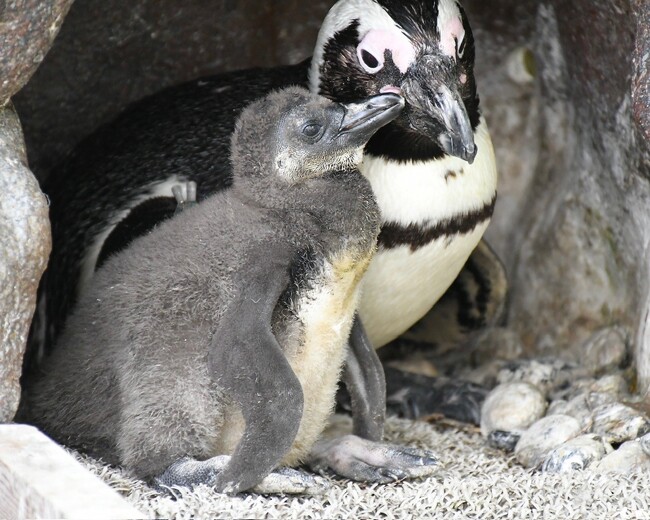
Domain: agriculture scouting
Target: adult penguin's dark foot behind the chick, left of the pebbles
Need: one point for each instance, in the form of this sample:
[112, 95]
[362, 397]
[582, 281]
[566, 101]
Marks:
[413, 396]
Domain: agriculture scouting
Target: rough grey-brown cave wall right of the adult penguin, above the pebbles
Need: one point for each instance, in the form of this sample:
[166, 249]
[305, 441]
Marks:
[572, 221]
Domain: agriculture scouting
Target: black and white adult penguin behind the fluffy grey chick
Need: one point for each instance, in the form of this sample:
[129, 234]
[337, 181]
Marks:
[432, 170]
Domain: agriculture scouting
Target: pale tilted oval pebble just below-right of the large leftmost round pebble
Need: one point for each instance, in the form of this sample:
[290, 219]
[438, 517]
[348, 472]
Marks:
[544, 436]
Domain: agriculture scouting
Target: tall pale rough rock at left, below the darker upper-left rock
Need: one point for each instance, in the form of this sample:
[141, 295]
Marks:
[24, 248]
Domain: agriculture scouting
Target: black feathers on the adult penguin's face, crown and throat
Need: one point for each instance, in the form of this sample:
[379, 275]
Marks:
[342, 77]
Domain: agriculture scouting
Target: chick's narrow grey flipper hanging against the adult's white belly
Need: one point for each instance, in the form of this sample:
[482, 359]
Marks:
[364, 379]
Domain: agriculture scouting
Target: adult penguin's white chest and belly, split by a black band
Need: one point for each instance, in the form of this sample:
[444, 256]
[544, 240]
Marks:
[402, 284]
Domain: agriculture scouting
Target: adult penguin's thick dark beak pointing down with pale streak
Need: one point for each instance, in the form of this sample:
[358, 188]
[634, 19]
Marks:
[438, 110]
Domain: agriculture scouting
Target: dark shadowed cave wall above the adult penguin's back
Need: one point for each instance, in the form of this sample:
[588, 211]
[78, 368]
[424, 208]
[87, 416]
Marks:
[110, 53]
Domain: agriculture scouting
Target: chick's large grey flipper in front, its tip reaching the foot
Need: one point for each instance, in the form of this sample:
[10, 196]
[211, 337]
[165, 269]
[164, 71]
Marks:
[247, 362]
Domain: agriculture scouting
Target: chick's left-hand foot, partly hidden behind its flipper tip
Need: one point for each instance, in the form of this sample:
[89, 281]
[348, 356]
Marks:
[187, 472]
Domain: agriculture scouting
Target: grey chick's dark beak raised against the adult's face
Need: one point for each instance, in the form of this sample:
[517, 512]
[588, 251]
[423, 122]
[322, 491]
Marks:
[361, 120]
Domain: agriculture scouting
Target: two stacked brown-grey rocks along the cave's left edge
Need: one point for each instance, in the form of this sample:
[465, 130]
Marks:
[27, 30]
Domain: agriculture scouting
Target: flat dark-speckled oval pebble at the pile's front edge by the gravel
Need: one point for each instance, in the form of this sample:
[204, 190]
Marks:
[576, 454]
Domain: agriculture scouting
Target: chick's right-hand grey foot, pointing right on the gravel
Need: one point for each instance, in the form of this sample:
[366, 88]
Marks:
[368, 461]
